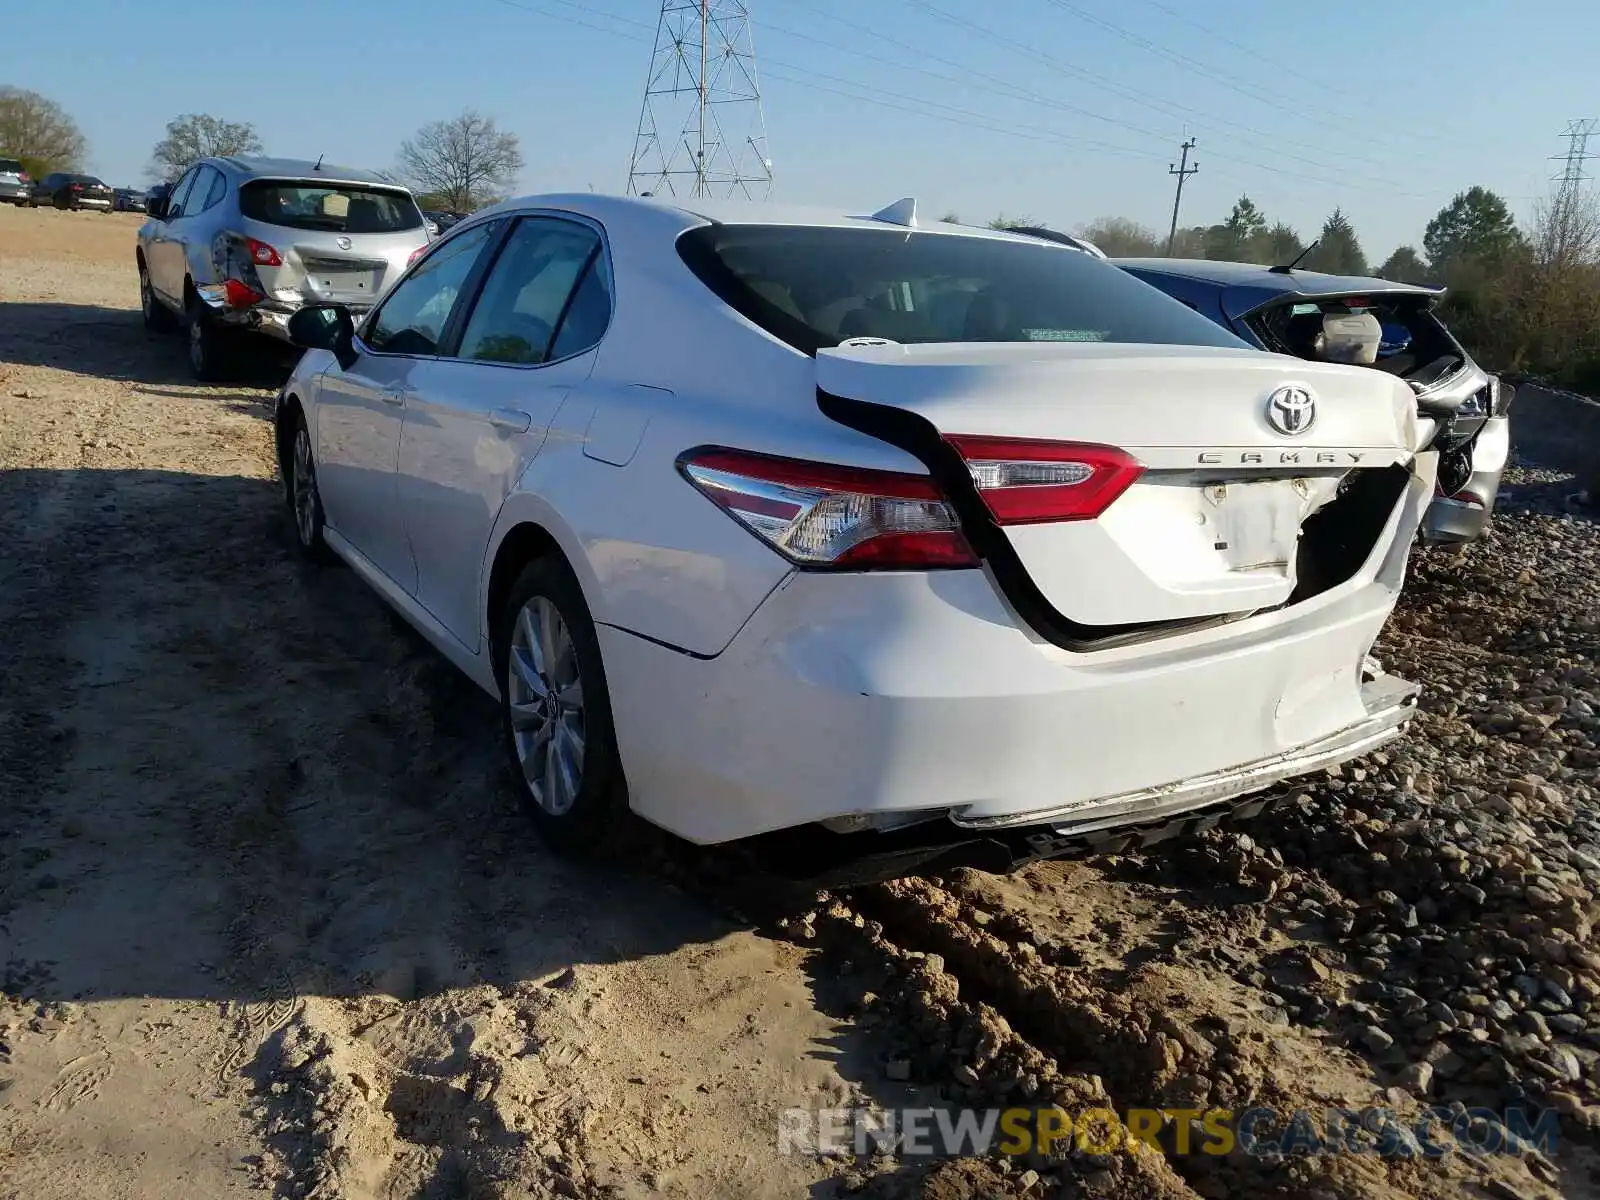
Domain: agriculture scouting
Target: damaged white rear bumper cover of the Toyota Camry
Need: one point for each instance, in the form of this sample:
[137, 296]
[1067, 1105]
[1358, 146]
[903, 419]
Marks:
[895, 706]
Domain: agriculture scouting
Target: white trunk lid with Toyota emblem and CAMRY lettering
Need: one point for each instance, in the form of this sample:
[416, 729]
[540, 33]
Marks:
[1212, 526]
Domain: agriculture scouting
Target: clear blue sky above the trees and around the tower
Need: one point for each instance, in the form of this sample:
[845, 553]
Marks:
[1062, 111]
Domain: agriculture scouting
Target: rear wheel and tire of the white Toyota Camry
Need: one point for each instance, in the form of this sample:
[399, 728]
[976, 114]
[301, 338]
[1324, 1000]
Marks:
[556, 714]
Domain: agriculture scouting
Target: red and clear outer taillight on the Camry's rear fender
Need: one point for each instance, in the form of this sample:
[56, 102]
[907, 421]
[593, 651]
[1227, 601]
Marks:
[822, 516]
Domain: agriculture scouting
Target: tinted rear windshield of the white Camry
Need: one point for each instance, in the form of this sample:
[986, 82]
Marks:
[817, 287]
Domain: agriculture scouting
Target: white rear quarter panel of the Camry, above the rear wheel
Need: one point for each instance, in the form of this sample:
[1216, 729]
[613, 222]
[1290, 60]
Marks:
[676, 370]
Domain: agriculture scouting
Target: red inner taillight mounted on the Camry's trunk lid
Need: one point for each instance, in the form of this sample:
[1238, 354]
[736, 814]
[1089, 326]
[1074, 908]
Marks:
[1028, 481]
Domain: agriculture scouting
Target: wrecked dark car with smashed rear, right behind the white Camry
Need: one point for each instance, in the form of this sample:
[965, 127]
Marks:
[1290, 311]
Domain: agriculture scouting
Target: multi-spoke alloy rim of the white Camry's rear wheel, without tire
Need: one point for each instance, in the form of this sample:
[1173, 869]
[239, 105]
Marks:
[546, 698]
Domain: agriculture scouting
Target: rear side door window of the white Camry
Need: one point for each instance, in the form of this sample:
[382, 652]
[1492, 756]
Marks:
[542, 300]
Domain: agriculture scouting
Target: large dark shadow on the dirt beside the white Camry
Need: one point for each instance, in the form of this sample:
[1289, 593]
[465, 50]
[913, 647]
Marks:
[231, 778]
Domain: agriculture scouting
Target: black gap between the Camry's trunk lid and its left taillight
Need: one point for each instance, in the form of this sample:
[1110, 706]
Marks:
[919, 438]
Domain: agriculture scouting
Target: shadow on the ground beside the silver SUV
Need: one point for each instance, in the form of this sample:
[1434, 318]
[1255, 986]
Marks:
[113, 345]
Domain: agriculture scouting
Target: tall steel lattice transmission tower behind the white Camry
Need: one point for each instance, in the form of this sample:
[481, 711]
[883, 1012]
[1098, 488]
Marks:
[702, 129]
